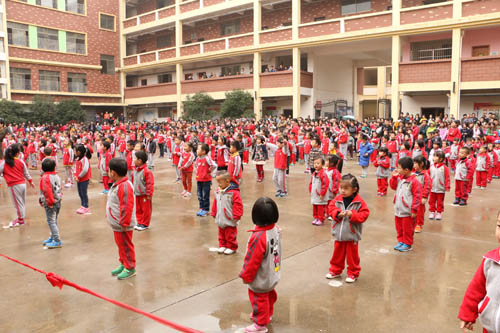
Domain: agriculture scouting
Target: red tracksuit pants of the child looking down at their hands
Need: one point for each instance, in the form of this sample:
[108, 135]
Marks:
[342, 251]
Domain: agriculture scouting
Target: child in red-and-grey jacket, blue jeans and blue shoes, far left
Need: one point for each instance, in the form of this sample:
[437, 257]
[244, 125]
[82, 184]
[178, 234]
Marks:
[50, 200]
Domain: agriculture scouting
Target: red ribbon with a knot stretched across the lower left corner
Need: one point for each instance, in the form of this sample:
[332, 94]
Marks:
[58, 281]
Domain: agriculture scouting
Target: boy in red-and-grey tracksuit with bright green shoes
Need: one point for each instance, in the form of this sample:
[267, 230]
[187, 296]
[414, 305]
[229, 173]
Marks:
[120, 213]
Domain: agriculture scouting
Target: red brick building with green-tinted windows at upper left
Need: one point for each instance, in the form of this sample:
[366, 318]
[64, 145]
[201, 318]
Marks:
[63, 49]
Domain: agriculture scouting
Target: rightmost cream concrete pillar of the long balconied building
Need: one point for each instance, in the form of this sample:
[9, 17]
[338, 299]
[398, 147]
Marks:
[455, 73]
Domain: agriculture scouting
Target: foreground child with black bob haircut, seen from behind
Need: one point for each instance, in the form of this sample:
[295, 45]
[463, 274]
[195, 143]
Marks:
[262, 264]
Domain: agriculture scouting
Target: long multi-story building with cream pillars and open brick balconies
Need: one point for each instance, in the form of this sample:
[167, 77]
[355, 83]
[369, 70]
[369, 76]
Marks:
[375, 56]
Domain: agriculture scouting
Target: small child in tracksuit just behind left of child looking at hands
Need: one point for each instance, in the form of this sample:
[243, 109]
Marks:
[318, 187]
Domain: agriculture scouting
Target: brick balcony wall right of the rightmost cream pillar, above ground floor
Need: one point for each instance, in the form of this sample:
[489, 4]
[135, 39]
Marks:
[481, 69]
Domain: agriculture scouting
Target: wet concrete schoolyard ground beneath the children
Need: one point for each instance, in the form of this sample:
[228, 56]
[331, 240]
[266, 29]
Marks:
[181, 280]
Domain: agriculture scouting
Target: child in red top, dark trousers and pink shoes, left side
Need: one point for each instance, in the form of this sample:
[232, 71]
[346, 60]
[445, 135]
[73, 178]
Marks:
[83, 173]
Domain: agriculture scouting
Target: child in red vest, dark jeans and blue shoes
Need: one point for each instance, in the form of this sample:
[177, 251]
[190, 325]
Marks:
[205, 167]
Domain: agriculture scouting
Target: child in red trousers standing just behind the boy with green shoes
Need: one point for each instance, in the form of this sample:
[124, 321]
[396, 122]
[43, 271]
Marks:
[144, 183]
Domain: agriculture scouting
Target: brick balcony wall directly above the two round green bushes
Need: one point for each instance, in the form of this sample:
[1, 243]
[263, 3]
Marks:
[218, 84]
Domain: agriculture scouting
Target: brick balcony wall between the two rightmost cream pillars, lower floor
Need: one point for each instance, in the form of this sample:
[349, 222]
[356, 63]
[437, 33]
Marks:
[425, 71]
